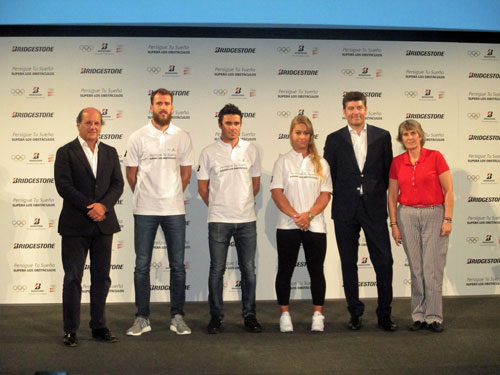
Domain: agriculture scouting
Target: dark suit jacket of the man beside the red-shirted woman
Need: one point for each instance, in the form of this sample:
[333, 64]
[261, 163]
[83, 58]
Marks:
[347, 178]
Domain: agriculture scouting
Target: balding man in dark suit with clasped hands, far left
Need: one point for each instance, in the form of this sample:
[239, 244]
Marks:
[89, 179]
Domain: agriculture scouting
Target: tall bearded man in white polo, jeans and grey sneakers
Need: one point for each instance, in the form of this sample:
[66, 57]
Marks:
[158, 162]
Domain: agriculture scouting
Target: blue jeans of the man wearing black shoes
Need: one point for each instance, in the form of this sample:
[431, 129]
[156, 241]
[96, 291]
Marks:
[245, 238]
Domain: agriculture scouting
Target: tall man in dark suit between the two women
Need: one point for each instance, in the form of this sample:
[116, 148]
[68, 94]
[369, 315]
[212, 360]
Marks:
[360, 156]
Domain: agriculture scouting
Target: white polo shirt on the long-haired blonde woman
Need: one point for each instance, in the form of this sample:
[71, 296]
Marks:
[295, 175]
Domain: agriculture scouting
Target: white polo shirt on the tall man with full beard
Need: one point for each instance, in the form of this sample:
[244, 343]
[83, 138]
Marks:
[159, 155]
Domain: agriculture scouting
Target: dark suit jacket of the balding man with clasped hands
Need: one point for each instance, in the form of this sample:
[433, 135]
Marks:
[77, 185]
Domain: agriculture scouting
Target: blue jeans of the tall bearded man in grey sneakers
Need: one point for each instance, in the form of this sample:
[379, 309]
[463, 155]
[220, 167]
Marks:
[145, 229]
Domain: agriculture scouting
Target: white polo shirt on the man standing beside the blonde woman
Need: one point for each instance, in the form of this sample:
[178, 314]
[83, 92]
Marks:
[230, 171]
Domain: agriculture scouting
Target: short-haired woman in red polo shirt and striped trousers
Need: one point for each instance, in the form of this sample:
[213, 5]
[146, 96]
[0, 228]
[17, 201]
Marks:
[420, 181]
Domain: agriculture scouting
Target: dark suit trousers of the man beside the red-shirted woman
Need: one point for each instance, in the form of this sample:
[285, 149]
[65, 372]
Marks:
[379, 248]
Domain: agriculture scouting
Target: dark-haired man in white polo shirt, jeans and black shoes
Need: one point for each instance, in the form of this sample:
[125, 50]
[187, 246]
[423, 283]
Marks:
[228, 180]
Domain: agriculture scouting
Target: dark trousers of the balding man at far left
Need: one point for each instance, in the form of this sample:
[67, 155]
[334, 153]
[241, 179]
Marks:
[74, 254]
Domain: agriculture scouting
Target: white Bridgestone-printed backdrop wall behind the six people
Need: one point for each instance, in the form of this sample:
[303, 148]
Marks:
[453, 89]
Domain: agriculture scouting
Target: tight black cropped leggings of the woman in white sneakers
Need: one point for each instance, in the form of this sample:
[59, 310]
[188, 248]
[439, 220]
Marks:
[288, 243]
